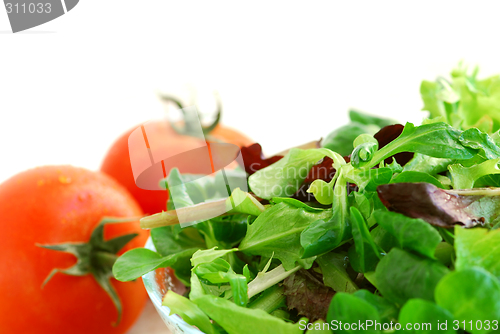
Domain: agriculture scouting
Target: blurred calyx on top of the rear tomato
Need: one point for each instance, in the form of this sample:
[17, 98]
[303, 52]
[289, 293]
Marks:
[191, 119]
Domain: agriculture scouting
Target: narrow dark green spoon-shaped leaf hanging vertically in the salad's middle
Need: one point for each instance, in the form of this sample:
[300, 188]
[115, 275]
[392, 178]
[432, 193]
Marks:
[364, 254]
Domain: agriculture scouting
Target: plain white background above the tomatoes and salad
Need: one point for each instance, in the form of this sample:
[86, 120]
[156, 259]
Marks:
[287, 72]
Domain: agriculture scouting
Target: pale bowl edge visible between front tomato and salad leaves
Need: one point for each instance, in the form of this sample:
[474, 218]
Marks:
[156, 288]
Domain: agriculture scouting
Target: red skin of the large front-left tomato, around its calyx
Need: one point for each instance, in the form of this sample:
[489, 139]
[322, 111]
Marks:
[58, 204]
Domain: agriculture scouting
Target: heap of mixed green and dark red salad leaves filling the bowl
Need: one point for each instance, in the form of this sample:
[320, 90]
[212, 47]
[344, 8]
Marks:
[383, 240]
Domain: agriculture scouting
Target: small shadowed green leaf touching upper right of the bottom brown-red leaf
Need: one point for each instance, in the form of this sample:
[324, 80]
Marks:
[333, 267]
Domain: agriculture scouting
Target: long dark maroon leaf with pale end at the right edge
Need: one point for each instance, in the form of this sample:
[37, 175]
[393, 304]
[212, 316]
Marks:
[439, 207]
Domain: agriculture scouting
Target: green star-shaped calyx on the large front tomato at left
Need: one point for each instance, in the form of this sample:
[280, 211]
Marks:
[95, 257]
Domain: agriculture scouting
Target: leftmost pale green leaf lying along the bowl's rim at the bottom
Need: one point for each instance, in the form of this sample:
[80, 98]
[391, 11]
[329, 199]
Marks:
[189, 312]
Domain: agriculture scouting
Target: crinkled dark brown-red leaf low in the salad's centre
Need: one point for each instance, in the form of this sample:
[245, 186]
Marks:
[308, 295]
